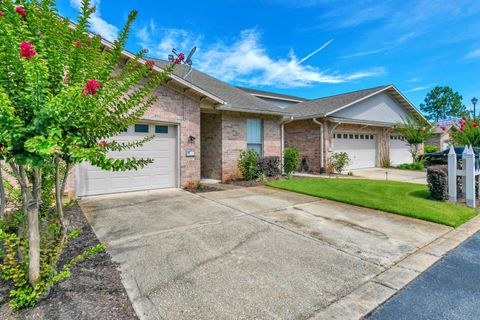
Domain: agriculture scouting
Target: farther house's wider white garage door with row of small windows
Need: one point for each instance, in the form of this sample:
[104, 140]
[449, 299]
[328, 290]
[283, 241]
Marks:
[361, 148]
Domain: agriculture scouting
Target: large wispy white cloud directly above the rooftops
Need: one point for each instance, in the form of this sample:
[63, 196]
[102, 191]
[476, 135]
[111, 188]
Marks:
[245, 61]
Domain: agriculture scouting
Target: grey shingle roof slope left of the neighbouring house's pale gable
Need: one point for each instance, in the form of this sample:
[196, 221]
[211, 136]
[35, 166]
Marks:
[320, 107]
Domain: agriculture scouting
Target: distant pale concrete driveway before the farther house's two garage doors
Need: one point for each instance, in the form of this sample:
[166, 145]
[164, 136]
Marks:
[412, 176]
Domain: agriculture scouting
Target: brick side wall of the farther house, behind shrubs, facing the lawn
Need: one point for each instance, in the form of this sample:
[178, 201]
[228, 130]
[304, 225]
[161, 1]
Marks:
[305, 136]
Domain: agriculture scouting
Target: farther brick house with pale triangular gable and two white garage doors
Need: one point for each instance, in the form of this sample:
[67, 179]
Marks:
[359, 123]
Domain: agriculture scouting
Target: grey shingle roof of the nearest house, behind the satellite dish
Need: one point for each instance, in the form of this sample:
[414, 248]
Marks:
[237, 100]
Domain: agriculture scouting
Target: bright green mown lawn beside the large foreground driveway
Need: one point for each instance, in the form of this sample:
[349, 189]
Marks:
[403, 198]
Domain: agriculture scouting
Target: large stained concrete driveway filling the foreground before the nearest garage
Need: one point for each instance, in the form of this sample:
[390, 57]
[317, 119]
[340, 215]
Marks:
[252, 253]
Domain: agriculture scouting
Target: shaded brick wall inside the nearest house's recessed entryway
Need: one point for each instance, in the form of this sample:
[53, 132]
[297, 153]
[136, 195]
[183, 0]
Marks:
[211, 145]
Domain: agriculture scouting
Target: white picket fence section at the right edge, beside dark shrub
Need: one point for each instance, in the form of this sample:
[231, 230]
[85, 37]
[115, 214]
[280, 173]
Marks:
[468, 169]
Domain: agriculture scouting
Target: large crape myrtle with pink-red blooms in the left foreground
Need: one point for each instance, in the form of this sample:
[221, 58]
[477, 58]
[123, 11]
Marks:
[63, 94]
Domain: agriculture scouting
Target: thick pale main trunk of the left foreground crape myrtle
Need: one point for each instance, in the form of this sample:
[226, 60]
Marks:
[33, 228]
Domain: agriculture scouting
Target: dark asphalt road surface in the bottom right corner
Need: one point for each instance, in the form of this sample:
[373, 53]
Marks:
[449, 290]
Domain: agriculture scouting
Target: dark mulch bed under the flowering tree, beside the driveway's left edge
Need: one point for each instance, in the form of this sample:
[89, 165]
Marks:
[94, 290]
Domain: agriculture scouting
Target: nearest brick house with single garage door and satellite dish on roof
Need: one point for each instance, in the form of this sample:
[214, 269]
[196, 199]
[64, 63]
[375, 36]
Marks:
[201, 125]
